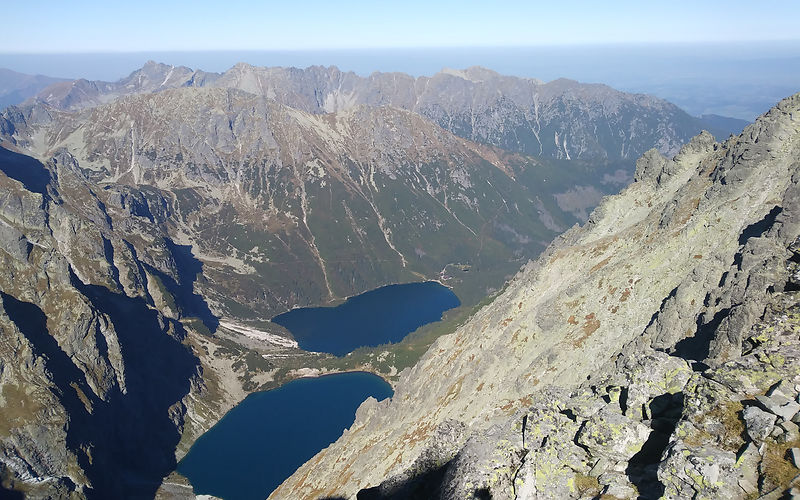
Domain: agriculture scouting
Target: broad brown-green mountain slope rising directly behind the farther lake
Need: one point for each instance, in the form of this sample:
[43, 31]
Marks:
[257, 189]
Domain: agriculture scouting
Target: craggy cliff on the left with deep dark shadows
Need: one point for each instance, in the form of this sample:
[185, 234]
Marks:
[94, 379]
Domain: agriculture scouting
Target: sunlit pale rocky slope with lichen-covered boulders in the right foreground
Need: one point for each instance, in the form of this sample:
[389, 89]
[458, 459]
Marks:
[680, 266]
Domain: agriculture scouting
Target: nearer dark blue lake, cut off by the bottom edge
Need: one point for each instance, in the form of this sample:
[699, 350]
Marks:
[265, 438]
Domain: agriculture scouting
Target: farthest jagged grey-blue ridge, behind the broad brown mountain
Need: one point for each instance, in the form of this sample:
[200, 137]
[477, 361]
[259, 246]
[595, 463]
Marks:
[560, 119]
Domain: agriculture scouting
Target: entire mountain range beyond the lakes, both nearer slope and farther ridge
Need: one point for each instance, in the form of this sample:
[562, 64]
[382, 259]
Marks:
[267, 147]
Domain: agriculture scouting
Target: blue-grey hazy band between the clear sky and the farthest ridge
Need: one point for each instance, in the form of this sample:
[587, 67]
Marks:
[740, 80]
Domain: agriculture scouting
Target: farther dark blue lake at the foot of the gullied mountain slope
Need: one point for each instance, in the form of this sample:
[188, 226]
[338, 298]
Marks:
[380, 316]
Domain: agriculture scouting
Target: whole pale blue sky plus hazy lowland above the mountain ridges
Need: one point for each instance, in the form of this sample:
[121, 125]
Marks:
[728, 57]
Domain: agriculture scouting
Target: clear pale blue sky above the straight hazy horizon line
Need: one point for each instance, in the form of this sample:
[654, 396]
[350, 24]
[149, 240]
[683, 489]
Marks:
[146, 25]
